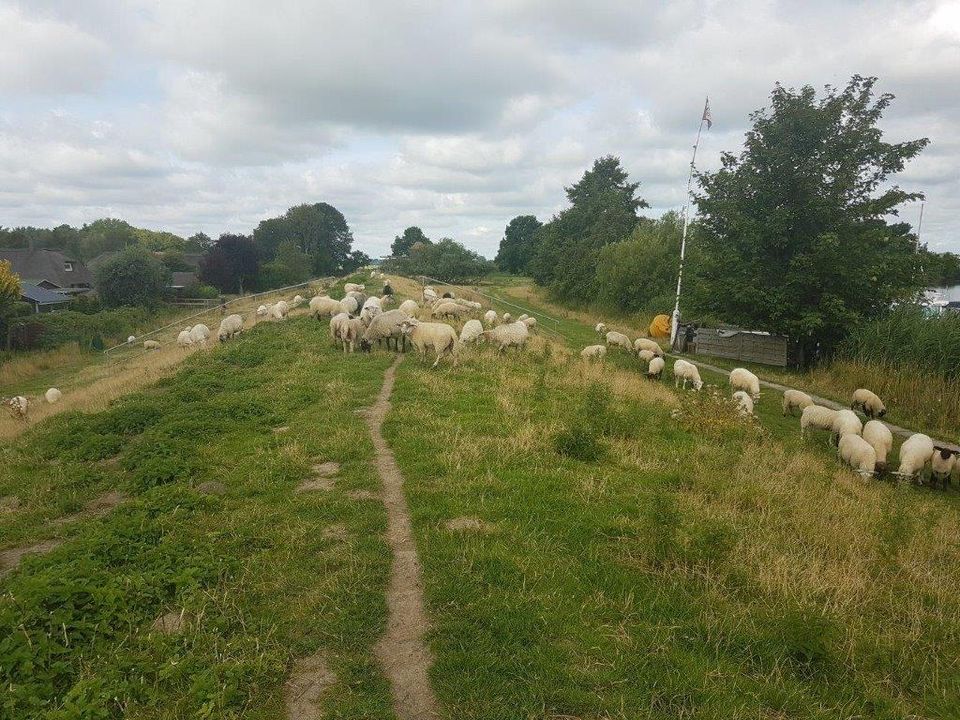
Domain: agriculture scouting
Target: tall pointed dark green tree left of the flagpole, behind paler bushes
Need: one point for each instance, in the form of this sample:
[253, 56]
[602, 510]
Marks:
[603, 210]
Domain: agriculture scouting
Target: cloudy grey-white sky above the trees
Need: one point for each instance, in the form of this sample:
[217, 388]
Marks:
[211, 115]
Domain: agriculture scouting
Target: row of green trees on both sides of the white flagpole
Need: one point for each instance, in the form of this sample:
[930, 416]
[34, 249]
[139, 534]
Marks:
[797, 234]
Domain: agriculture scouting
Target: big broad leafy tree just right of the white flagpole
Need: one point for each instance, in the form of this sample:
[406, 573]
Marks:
[795, 234]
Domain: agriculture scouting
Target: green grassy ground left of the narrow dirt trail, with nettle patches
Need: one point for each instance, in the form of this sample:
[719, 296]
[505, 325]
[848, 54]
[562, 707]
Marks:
[259, 565]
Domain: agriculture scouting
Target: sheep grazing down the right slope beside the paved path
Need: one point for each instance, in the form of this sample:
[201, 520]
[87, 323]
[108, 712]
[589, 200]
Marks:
[863, 446]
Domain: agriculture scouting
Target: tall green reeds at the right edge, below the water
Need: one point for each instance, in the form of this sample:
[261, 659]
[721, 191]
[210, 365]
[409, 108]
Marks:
[907, 338]
